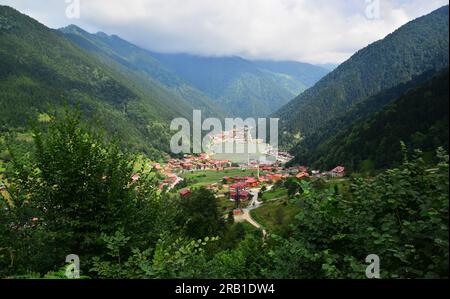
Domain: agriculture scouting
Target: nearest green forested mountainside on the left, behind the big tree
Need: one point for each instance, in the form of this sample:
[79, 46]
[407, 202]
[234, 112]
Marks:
[41, 68]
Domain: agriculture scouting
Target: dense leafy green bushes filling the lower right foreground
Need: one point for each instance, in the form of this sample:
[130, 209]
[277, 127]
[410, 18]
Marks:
[400, 215]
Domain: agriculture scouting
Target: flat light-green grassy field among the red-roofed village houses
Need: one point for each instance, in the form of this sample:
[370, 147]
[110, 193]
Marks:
[208, 177]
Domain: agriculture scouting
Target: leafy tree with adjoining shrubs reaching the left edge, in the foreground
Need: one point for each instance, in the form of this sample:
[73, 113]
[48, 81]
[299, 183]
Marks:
[74, 189]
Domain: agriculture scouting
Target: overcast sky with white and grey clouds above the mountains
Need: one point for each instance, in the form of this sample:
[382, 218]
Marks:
[315, 31]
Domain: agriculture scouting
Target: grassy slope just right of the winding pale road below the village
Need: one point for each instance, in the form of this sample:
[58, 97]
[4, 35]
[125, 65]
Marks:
[274, 216]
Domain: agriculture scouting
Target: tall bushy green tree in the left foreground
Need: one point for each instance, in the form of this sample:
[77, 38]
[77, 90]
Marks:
[79, 186]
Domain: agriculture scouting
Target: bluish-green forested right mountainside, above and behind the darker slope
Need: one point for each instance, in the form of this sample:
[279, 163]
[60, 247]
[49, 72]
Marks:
[414, 48]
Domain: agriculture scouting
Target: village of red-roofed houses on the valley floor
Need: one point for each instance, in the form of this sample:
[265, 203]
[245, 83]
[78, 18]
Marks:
[242, 187]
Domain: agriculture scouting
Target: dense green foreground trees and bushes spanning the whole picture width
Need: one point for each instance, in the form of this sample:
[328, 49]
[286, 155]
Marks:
[74, 194]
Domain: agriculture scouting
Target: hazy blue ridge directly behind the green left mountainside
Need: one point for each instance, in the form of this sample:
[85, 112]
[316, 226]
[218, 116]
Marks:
[139, 65]
